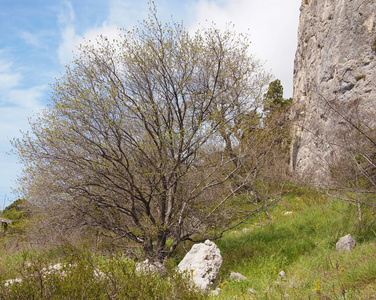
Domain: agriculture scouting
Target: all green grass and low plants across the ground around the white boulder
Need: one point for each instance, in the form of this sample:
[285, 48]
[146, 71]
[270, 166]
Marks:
[302, 244]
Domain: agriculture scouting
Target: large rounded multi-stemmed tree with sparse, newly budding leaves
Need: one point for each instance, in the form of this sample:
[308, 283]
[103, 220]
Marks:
[135, 141]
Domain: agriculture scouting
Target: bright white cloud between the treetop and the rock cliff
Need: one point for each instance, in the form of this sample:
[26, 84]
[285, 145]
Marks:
[272, 25]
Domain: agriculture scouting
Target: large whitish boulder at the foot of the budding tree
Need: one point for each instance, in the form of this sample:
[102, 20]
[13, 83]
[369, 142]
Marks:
[203, 262]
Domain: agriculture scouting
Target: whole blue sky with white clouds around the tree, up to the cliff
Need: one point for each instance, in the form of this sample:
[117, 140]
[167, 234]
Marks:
[37, 39]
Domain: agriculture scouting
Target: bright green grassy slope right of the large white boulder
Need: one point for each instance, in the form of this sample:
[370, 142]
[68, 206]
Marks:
[301, 244]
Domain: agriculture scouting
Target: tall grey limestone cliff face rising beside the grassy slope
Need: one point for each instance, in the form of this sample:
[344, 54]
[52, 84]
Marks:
[335, 63]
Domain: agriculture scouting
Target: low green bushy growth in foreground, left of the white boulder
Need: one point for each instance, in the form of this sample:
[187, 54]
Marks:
[84, 276]
